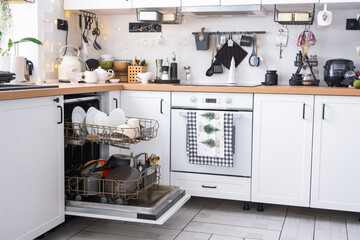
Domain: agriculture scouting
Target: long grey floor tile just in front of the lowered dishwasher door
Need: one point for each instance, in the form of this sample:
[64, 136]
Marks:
[147, 232]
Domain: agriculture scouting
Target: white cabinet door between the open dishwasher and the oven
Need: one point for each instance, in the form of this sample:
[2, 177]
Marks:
[154, 105]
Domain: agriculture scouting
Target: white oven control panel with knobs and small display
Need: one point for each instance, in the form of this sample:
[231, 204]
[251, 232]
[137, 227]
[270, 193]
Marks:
[212, 100]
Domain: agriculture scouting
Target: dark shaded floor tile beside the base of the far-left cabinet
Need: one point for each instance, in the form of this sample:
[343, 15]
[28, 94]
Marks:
[69, 228]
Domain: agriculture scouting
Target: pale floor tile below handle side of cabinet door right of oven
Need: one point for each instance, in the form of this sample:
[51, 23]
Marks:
[298, 227]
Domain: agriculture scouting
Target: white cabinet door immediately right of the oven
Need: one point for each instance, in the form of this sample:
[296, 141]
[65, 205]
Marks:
[282, 149]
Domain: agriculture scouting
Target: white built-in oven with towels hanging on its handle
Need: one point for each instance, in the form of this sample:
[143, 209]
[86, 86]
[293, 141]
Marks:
[239, 105]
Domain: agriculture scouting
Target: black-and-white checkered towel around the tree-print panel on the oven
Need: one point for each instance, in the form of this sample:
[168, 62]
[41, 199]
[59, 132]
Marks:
[192, 142]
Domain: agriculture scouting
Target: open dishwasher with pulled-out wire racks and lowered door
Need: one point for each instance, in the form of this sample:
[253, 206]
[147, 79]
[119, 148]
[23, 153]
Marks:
[146, 202]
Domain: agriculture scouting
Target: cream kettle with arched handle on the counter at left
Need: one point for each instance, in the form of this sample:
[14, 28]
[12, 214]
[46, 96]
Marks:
[68, 64]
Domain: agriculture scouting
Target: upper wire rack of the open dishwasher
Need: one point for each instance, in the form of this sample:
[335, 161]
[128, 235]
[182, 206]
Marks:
[80, 133]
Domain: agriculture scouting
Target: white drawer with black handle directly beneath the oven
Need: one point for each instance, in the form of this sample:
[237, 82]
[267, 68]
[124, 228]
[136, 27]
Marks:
[213, 186]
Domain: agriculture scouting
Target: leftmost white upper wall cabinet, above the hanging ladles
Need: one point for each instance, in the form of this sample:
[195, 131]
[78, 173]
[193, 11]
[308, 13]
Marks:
[93, 4]
